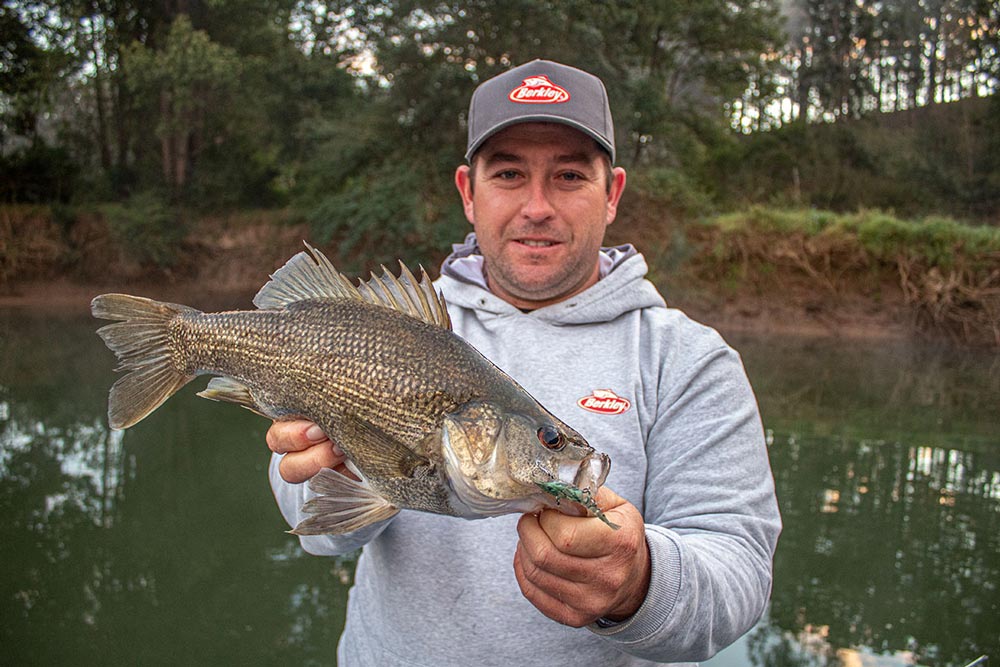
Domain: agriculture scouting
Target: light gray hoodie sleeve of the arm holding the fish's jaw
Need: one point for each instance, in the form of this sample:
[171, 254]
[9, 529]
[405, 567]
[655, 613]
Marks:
[712, 520]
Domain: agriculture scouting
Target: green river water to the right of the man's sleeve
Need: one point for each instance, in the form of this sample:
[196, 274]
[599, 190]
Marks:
[887, 464]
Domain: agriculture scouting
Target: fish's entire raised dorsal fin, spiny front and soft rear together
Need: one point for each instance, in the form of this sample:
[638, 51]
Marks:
[310, 275]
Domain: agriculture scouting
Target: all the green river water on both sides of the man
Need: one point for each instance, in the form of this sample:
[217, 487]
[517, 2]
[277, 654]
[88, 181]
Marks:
[163, 545]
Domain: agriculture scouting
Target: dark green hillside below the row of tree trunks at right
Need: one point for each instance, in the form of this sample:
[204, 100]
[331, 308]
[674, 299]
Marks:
[930, 161]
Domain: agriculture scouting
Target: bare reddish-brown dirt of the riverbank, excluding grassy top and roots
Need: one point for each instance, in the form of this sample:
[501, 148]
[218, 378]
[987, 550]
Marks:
[223, 264]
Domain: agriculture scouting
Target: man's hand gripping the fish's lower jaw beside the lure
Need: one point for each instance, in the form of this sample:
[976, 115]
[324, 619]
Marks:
[577, 569]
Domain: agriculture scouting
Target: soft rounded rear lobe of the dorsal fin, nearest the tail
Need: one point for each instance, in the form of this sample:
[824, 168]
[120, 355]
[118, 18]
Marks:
[307, 275]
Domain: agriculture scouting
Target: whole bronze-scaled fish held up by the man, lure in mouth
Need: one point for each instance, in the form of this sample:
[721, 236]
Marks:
[426, 422]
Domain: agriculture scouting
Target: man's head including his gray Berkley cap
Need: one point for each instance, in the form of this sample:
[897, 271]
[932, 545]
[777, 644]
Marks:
[540, 191]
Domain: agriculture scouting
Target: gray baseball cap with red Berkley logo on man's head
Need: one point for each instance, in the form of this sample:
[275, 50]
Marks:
[541, 91]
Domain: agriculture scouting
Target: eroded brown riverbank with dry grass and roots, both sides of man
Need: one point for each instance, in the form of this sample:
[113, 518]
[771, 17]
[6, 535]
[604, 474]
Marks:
[750, 275]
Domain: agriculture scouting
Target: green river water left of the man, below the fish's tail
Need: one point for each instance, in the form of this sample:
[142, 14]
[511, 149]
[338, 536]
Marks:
[159, 546]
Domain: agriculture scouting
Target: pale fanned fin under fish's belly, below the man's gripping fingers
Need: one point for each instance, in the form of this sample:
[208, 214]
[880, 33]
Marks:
[342, 505]
